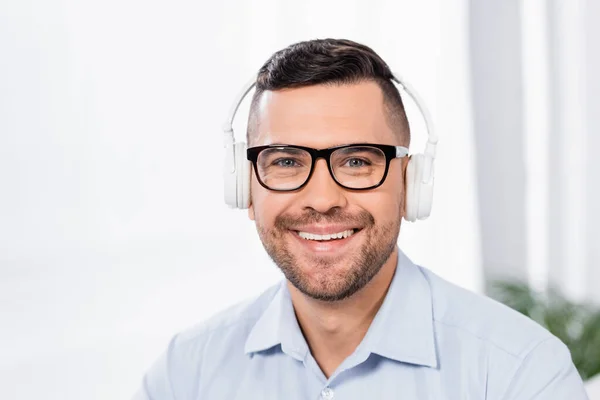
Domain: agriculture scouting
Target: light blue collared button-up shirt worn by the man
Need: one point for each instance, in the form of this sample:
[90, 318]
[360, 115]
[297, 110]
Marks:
[429, 340]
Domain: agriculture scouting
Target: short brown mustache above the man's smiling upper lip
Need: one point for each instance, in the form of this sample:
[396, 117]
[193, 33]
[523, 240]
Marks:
[361, 219]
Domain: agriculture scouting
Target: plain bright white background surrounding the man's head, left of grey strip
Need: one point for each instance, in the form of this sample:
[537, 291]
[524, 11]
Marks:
[113, 233]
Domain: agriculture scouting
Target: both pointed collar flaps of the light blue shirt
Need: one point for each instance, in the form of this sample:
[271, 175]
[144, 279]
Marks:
[402, 329]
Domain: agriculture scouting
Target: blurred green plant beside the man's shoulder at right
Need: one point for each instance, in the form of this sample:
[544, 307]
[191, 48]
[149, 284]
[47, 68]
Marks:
[577, 325]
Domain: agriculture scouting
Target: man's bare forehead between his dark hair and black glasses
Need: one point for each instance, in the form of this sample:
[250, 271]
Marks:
[323, 116]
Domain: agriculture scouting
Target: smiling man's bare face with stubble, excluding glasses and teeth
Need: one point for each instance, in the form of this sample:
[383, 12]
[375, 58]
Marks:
[320, 117]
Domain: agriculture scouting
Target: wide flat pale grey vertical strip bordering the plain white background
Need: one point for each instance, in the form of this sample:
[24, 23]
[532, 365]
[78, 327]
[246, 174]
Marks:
[495, 41]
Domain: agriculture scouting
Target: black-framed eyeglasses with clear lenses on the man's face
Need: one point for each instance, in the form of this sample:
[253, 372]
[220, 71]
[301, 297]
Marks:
[359, 166]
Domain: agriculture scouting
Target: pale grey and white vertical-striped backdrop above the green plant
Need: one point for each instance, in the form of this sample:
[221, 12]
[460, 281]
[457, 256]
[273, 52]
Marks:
[536, 107]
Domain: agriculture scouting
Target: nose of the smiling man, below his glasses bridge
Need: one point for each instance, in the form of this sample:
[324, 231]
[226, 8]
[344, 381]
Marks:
[322, 193]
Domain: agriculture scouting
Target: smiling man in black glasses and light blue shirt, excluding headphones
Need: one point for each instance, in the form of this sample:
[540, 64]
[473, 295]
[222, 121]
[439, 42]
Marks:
[354, 318]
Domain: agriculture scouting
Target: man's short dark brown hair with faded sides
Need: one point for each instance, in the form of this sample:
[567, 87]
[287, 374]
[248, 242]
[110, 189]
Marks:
[329, 62]
